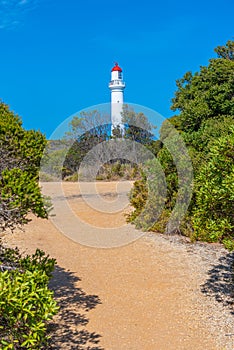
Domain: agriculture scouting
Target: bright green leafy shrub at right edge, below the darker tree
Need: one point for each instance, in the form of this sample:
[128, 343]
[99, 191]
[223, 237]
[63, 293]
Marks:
[213, 219]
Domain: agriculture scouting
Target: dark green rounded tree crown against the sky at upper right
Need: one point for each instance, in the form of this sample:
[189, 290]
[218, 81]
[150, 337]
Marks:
[208, 93]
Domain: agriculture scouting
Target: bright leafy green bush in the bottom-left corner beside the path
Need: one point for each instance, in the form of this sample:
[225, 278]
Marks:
[26, 303]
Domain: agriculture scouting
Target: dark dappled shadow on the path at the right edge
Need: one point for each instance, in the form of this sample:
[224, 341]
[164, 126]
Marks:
[220, 283]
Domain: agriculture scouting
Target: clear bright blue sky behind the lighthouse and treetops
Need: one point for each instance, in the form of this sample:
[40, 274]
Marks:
[56, 56]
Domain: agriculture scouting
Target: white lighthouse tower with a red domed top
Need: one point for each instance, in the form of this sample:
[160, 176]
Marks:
[117, 87]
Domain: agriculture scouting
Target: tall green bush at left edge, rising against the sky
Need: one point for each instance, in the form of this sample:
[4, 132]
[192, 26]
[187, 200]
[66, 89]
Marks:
[20, 155]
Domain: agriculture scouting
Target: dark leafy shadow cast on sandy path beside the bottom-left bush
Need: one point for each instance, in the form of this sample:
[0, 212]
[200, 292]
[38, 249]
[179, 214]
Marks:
[68, 329]
